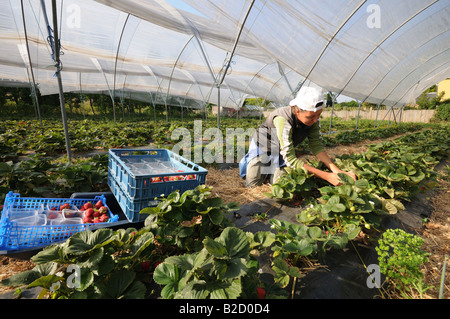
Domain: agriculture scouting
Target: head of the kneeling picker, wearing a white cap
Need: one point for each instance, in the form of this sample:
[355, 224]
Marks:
[308, 105]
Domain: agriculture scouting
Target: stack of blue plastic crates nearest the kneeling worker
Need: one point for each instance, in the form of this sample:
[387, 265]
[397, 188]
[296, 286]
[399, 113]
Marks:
[137, 177]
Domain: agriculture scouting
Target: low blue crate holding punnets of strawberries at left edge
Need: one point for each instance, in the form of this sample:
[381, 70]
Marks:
[25, 224]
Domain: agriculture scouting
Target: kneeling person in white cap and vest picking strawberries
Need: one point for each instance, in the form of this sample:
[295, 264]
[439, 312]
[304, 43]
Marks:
[272, 147]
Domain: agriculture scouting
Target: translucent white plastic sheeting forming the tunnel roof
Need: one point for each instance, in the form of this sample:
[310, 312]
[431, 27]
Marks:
[174, 51]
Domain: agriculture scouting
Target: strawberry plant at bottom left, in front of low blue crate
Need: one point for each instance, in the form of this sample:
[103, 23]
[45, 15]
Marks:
[109, 263]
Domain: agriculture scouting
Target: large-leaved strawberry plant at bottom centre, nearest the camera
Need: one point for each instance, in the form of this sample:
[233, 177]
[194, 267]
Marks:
[222, 269]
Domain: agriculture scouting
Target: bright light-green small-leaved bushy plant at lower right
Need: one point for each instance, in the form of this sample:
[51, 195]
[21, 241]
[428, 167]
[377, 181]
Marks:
[400, 257]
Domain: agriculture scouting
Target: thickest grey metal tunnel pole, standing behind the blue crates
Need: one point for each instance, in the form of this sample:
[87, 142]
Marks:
[58, 75]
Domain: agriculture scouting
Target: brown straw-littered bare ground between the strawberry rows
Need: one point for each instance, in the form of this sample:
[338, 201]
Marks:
[434, 203]
